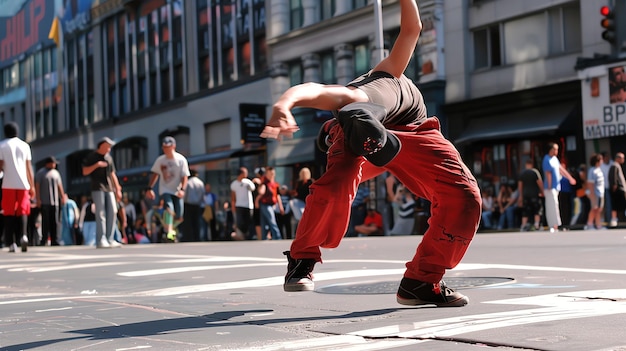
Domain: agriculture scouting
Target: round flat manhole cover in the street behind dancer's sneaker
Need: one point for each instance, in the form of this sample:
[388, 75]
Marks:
[391, 287]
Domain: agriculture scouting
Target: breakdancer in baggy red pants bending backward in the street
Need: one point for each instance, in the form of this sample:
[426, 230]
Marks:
[381, 125]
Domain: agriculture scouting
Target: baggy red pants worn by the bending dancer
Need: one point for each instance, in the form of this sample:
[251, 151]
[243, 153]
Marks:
[430, 167]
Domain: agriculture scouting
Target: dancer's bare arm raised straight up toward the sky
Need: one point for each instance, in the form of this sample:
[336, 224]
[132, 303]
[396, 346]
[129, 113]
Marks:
[402, 50]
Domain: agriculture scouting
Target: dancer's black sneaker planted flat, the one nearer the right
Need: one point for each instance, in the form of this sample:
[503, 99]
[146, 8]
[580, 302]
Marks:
[414, 292]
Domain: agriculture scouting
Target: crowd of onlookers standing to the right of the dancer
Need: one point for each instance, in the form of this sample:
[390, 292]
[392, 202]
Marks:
[554, 197]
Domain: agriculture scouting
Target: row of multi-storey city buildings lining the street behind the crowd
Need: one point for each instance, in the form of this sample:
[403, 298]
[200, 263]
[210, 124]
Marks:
[500, 75]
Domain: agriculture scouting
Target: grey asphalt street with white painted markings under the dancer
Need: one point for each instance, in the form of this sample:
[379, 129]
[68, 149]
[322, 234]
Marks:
[528, 291]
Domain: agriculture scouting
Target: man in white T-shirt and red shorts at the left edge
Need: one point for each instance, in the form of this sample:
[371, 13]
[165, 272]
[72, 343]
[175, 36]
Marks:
[18, 187]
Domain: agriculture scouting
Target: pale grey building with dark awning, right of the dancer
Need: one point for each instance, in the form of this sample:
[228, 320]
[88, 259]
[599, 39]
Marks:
[512, 84]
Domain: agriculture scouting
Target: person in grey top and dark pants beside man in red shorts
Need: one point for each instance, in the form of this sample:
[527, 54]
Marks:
[50, 198]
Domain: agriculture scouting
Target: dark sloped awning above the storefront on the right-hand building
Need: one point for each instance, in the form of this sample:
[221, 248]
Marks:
[527, 122]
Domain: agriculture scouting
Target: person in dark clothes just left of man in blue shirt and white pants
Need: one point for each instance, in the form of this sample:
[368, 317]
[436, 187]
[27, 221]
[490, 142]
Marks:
[530, 187]
